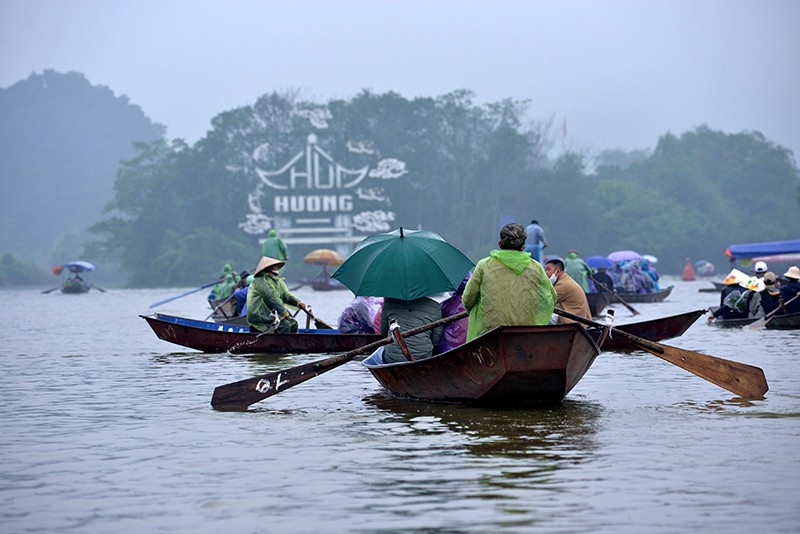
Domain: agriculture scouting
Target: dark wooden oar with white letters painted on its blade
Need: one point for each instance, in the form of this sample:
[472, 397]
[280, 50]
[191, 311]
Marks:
[241, 394]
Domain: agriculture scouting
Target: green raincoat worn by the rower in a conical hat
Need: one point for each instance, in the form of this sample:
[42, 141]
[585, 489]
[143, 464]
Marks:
[269, 292]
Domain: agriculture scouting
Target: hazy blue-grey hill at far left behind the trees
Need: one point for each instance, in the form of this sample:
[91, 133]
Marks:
[61, 140]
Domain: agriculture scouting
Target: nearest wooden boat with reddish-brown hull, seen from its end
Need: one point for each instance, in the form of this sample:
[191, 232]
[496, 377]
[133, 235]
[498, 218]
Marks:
[510, 365]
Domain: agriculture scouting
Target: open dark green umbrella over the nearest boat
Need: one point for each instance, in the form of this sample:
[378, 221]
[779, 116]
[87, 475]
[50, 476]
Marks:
[403, 264]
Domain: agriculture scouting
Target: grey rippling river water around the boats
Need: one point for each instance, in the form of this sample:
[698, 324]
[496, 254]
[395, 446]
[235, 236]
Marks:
[107, 428]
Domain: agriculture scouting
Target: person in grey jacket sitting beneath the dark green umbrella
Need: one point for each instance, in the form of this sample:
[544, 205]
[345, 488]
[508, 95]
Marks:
[411, 314]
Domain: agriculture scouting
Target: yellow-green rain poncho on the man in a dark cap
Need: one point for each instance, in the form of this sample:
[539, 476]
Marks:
[507, 288]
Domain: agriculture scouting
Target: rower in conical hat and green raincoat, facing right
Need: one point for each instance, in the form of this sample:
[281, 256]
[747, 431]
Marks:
[267, 298]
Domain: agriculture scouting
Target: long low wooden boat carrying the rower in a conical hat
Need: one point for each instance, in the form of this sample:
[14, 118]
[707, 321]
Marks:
[215, 337]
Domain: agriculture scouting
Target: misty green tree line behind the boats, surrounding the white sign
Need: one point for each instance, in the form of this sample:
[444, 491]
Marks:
[176, 212]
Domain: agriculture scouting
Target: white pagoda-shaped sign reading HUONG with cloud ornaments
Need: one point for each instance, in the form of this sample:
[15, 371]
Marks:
[313, 199]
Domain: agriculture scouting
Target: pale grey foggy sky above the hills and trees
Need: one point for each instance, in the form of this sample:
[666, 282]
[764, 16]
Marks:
[619, 73]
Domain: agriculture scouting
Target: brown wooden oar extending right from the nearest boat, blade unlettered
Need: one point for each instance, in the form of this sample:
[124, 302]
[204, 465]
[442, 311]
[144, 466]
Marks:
[744, 380]
